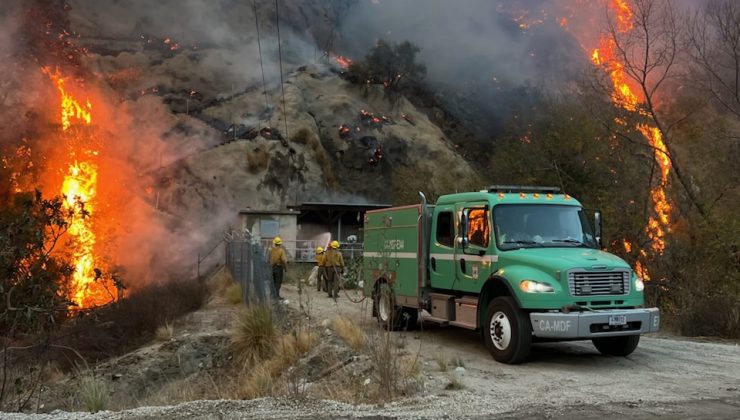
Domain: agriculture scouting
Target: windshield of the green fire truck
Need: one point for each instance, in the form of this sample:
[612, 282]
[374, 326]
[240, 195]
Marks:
[542, 225]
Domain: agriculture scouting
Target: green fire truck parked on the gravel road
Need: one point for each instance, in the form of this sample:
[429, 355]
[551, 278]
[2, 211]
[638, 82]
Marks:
[519, 264]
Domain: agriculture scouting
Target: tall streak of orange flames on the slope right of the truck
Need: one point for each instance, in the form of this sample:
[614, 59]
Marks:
[639, 52]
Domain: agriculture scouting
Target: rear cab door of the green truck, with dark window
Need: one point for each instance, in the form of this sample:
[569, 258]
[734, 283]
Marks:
[442, 247]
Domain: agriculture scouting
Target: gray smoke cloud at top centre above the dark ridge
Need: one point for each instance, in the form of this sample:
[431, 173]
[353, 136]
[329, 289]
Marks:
[483, 55]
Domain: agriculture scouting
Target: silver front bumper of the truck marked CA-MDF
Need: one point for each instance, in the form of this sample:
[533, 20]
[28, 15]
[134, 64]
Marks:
[593, 324]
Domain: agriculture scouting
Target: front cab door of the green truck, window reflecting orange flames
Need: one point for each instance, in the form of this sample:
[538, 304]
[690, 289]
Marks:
[474, 262]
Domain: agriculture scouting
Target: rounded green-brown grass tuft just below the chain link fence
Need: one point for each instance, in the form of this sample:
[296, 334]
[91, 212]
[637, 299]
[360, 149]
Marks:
[254, 334]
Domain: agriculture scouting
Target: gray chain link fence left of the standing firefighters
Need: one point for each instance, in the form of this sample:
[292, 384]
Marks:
[246, 259]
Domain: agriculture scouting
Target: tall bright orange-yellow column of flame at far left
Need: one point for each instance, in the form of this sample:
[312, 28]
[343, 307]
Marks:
[79, 190]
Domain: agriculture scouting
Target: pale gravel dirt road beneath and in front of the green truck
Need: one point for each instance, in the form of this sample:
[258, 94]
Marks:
[665, 377]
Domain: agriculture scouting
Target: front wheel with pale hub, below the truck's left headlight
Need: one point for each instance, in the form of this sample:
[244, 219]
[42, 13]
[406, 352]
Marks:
[507, 331]
